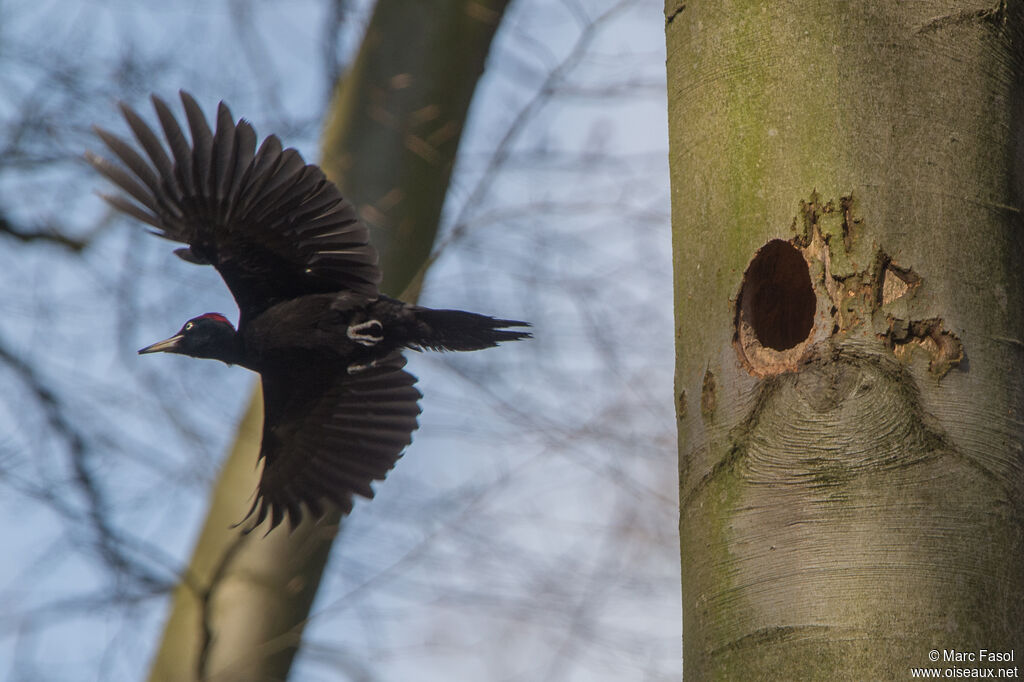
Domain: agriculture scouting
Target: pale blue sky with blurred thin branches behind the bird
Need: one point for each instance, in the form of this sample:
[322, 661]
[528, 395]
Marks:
[530, 530]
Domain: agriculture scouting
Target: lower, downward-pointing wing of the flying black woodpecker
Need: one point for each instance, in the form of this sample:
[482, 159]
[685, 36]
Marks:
[328, 436]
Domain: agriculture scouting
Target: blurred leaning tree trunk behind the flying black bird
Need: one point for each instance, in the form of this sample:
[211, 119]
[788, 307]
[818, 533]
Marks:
[391, 144]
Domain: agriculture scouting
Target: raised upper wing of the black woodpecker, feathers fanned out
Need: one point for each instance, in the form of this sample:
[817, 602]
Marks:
[273, 226]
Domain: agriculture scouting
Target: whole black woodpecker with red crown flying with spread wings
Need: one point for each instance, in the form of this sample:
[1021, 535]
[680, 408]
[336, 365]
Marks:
[338, 407]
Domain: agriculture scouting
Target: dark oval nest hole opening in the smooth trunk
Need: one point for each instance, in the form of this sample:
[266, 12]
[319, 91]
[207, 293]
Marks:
[777, 300]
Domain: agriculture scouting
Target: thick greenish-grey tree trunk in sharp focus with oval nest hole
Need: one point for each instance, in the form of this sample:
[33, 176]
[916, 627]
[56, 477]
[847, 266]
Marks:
[850, 342]
